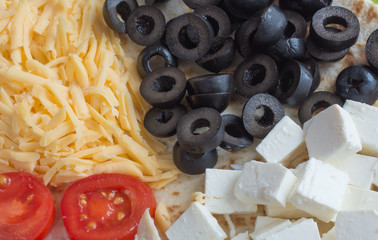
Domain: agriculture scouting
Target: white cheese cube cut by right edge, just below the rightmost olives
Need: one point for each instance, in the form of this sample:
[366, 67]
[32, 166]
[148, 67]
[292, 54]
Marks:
[365, 118]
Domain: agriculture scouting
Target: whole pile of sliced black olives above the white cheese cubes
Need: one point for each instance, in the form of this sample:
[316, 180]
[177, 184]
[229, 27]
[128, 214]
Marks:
[279, 66]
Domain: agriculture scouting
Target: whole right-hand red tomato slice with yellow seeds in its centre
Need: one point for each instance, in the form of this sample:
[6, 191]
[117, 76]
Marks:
[106, 206]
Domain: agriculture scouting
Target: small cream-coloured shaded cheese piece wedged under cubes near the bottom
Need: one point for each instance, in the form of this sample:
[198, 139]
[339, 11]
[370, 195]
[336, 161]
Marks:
[289, 211]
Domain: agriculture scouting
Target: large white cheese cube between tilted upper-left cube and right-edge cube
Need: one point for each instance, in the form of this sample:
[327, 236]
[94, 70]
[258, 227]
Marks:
[332, 134]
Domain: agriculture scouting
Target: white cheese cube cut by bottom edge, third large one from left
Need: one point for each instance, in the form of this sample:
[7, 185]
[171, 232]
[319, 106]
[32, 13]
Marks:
[301, 229]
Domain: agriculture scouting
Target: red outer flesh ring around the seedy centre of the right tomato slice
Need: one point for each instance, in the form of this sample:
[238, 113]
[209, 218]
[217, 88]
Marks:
[144, 199]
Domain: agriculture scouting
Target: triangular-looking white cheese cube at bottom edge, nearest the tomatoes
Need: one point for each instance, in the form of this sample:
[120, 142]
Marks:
[196, 223]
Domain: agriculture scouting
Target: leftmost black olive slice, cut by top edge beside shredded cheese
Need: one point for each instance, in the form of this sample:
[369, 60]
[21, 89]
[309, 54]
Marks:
[116, 13]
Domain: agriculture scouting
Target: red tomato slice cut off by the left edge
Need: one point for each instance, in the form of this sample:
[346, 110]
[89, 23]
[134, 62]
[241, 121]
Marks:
[26, 205]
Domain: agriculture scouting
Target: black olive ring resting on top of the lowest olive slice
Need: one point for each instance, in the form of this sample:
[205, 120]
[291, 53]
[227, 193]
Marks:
[200, 130]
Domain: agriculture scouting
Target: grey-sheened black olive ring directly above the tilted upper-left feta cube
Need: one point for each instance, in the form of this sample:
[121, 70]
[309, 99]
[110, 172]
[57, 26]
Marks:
[261, 113]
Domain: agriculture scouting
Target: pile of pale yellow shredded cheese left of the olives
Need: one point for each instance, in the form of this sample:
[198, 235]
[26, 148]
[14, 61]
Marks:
[69, 96]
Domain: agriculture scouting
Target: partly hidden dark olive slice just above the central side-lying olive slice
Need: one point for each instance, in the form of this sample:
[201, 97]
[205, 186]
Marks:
[219, 57]
